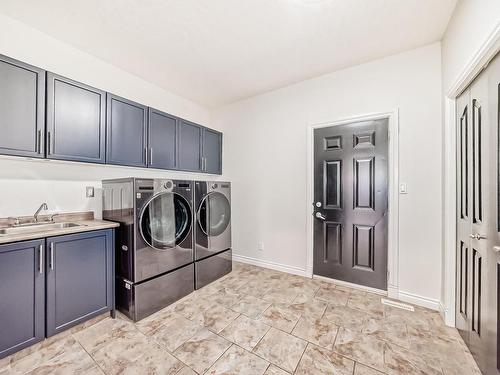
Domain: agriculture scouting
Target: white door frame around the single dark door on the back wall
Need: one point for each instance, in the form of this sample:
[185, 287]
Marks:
[393, 193]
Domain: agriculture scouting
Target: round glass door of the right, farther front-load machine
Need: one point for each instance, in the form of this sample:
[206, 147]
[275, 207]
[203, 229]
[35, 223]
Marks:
[214, 214]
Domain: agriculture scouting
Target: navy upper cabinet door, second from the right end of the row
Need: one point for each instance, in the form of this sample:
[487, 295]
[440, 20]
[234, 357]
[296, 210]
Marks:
[189, 146]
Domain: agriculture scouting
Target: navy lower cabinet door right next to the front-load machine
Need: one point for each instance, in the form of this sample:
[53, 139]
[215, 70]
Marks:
[79, 278]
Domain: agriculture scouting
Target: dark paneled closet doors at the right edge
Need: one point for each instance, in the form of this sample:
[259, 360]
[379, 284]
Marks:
[477, 259]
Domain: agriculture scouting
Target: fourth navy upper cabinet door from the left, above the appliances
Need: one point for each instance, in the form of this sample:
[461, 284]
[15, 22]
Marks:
[162, 134]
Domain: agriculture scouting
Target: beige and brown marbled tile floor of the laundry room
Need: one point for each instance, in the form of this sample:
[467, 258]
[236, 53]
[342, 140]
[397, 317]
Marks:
[257, 321]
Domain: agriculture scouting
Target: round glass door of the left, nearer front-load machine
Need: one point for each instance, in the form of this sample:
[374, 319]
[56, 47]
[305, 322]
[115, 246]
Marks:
[165, 221]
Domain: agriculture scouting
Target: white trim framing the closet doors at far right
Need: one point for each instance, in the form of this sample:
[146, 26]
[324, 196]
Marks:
[478, 62]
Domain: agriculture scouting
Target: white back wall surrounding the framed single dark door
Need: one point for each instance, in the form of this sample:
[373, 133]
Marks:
[266, 151]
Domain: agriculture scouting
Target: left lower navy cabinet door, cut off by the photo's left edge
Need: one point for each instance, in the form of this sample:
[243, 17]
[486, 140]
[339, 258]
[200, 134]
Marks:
[22, 295]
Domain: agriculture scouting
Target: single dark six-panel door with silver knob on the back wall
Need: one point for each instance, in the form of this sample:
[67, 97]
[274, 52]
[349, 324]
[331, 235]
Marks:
[350, 202]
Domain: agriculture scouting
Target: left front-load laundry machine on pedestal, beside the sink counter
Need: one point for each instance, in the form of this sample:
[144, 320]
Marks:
[154, 244]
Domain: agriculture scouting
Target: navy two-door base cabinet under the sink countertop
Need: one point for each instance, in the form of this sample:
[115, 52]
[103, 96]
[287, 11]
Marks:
[51, 284]
